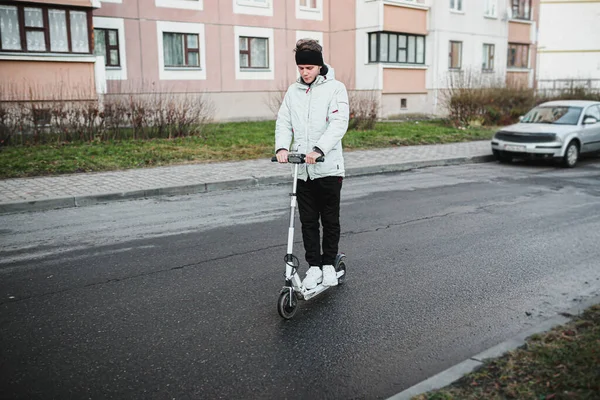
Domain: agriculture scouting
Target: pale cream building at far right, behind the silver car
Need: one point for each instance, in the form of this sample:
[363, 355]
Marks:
[569, 44]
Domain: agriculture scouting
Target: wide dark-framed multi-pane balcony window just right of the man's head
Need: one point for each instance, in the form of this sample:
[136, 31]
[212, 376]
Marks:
[396, 48]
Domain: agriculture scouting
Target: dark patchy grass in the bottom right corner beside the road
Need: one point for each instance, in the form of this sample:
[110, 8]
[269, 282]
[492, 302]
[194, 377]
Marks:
[561, 364]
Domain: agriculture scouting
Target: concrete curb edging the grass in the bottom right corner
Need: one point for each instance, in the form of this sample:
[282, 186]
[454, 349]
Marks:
[454, 373]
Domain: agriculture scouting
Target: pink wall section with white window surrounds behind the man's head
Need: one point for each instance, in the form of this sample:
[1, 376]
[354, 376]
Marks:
[217, 22]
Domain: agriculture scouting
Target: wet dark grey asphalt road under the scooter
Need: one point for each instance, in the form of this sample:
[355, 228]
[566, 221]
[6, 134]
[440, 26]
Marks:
[175, 298]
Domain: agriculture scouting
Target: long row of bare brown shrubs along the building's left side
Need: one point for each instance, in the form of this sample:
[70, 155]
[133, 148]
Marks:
[61, 118]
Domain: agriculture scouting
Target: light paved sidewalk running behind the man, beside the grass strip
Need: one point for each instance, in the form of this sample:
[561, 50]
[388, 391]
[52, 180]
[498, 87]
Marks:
[32, 194]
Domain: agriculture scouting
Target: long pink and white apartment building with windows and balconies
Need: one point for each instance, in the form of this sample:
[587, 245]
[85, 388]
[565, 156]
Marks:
[239, 52]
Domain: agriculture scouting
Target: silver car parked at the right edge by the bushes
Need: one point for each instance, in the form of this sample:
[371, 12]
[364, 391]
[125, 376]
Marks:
[558, 129]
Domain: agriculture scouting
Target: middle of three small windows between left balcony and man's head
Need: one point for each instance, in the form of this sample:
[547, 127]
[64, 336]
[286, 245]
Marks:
[181, 49]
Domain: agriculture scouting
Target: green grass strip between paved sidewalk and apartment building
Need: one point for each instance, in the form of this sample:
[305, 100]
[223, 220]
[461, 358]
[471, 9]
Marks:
[222, 142]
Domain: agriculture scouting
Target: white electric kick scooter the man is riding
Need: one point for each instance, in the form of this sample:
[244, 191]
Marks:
[293, 289]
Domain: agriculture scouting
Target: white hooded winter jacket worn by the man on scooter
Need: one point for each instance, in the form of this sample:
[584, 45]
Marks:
[315, 116]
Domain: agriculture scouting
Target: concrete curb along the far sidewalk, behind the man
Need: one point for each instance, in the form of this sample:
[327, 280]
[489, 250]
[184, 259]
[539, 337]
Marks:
[92, 199]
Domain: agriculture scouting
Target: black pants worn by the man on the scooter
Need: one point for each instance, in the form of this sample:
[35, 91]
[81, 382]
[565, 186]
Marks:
[320, 199]
